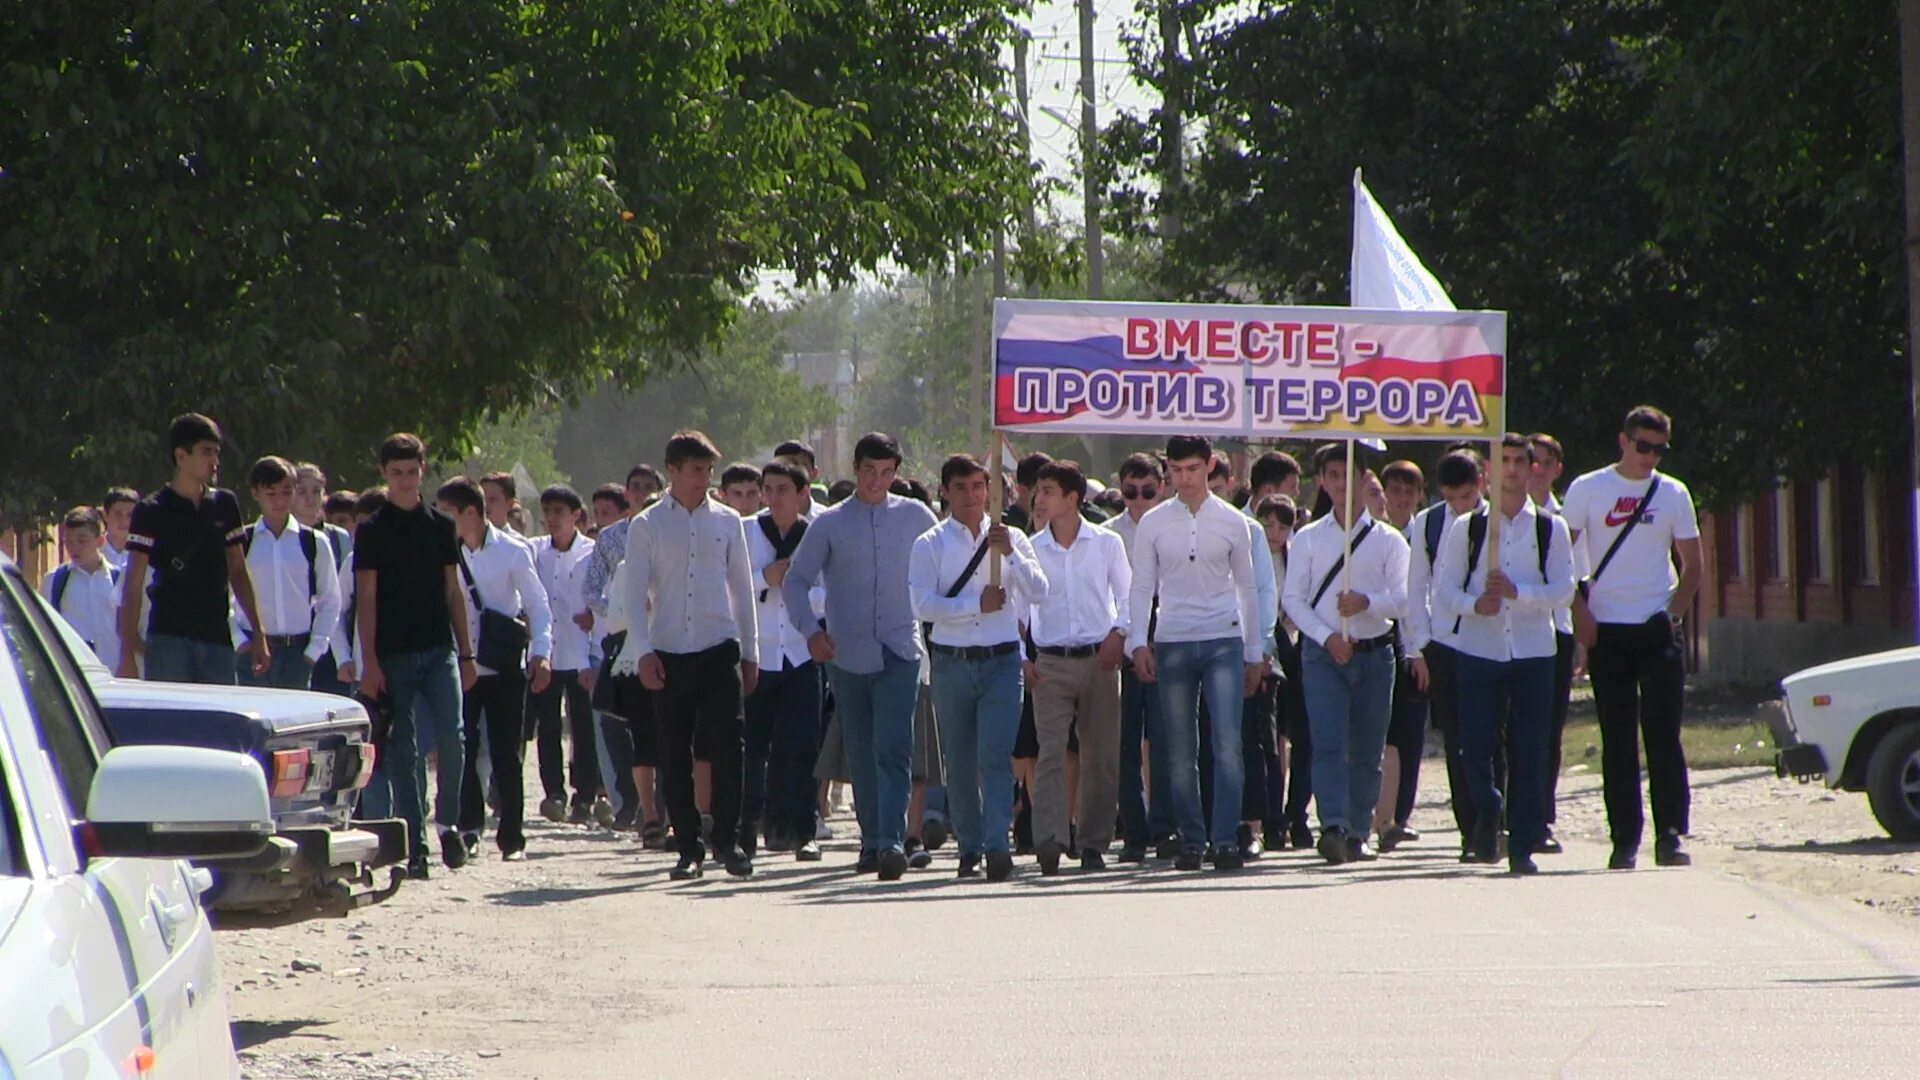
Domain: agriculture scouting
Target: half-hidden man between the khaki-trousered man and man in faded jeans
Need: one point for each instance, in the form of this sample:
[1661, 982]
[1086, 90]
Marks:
[1145, 818]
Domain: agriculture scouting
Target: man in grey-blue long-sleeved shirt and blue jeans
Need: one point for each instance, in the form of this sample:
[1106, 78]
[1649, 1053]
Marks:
[861, 549]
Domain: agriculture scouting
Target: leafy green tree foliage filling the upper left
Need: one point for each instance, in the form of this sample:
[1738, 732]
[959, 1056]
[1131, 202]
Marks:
[322, 222]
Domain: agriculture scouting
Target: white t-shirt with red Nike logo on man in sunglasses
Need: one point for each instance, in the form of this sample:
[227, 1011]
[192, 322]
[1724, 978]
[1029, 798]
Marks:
[1643, 577]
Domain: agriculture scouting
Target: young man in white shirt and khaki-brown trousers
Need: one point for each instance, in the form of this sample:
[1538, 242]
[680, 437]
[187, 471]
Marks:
[1080, 637]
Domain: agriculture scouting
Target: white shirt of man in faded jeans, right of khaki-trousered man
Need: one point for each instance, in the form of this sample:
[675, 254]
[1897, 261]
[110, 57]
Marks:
[1201, 564]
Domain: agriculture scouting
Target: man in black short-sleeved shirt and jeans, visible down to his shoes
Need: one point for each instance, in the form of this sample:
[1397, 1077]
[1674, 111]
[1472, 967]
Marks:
[412, 610]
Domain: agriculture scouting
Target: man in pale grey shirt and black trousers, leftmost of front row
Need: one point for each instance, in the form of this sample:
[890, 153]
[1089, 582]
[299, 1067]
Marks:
[690, 601]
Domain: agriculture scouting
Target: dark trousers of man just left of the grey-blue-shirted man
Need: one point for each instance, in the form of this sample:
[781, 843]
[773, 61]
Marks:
[782, 749]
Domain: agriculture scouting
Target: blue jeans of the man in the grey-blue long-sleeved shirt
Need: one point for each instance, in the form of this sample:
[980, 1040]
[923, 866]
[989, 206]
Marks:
[876, 716]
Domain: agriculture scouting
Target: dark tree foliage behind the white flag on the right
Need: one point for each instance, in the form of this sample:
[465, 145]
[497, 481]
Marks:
[1687, 205]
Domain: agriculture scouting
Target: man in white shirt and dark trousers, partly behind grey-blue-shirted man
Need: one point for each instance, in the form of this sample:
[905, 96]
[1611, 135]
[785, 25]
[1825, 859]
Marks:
[784, 712]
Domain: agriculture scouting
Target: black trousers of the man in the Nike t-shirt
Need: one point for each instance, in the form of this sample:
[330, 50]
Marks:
[1641, 695]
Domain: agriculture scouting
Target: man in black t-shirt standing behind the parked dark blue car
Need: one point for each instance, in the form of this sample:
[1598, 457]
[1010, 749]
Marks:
[189, 535]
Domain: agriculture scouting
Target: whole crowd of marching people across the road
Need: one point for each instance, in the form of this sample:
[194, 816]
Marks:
[1182, 664]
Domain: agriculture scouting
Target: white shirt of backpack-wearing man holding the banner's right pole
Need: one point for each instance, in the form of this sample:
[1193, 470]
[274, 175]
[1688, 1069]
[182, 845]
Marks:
[1525, 626]
